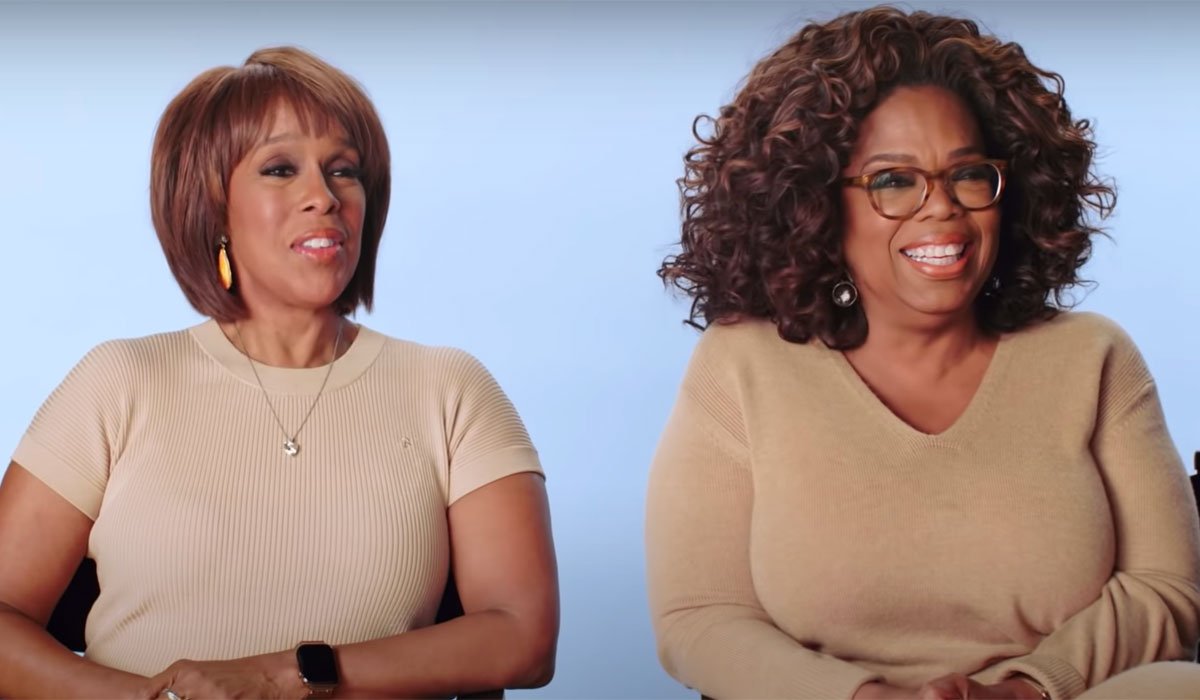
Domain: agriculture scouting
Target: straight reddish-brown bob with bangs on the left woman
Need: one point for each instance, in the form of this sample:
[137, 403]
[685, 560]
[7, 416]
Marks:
[213, 124]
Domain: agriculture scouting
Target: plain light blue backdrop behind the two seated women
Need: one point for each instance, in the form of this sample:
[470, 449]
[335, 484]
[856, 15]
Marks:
[536, 148]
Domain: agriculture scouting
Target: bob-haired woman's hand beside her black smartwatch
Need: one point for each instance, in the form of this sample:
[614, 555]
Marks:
[263, 677]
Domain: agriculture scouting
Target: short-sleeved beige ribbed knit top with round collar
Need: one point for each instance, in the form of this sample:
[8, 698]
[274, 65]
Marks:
[212, 543]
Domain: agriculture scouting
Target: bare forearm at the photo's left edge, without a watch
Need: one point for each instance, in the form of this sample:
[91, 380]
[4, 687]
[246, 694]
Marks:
[33, 665]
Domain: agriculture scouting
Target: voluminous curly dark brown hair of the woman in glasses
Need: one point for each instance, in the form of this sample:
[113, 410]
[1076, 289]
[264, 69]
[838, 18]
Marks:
[763, 226]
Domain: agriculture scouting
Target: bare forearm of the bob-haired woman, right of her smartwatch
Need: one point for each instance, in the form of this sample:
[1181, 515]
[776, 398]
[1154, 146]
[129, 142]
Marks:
[479, 651]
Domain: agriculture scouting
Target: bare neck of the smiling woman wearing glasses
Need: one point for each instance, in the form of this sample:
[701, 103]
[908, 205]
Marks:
[933, 349]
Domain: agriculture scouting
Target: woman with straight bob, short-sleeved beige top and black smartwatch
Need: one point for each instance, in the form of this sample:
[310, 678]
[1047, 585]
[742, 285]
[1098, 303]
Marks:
[274, 499]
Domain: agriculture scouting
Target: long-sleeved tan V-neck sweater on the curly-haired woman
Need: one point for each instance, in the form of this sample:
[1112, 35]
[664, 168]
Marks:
[802, 540]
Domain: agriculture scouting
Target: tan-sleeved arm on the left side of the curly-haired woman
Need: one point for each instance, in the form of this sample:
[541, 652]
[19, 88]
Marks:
[713, 633]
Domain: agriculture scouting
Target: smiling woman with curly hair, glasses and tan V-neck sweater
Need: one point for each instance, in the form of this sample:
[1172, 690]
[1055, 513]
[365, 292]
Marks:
[898, 466]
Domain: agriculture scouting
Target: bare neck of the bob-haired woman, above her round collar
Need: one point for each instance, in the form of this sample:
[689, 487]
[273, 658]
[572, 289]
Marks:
[302, 340]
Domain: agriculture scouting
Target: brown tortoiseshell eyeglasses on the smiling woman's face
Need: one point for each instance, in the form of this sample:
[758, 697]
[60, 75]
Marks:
[901, 193]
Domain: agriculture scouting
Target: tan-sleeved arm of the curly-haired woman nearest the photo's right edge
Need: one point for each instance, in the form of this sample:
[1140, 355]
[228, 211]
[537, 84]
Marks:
[1150, 608]
